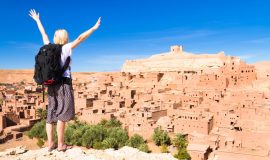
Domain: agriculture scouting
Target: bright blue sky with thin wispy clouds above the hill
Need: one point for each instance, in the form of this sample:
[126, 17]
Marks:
[132, 29]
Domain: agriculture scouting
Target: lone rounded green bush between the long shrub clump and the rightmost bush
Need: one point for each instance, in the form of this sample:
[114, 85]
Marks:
[161, 137]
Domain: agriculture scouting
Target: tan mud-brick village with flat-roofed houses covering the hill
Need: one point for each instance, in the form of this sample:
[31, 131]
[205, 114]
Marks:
[220, 103]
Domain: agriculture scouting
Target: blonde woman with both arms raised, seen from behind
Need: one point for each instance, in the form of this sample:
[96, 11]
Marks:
[61, 95]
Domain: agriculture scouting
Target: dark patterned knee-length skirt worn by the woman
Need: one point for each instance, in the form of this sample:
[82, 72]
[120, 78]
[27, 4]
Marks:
[61, 103]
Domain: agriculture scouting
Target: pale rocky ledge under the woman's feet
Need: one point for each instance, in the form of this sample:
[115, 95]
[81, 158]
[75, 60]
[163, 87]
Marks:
[125, 153]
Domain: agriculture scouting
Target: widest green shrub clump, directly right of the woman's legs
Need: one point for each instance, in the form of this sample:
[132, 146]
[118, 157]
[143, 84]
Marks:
[82, 134]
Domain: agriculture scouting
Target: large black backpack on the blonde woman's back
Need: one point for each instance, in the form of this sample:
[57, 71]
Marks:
[48, 70]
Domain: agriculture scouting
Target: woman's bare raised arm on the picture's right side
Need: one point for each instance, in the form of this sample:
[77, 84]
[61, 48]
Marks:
[85, 34]
